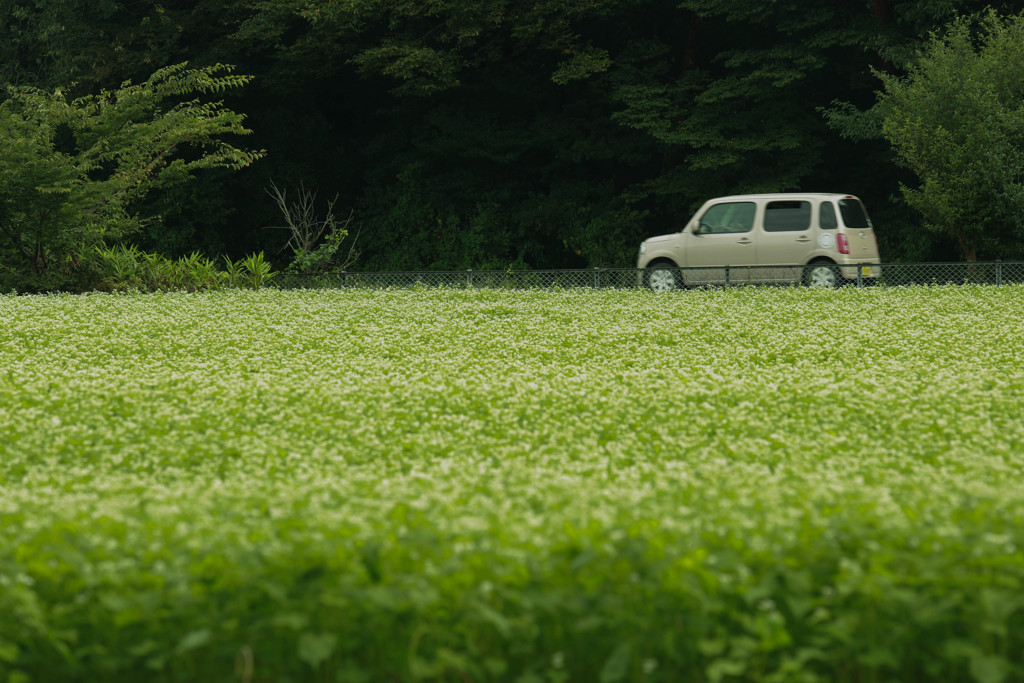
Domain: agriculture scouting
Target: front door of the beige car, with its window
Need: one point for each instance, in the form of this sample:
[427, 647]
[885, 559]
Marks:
[724, 237]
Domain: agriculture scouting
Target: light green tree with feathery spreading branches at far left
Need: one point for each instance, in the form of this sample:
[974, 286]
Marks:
[73, 173]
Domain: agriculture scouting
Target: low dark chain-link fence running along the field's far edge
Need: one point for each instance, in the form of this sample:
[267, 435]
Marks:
[819, 275]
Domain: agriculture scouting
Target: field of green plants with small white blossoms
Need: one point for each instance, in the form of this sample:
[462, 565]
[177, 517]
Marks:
[753, 485]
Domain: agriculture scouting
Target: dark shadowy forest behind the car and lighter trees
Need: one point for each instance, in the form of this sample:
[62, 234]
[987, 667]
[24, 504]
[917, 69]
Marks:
[508, 134]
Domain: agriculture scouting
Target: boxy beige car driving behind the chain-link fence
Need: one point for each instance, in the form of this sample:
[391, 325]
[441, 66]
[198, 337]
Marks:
[821, 240]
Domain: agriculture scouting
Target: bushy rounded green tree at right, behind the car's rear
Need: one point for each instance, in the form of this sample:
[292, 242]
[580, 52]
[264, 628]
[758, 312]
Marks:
[957, 120]
